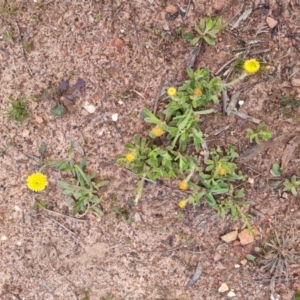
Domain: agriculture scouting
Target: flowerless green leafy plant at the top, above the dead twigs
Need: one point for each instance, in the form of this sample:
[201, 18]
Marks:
[208, 29]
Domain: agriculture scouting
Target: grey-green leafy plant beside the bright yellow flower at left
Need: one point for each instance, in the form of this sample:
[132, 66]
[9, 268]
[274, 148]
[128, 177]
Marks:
[81, 189]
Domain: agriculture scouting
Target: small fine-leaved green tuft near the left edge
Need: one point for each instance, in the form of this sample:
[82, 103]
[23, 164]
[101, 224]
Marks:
[18, 110]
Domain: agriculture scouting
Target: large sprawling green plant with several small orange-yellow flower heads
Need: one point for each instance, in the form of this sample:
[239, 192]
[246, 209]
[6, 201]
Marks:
[178, 125]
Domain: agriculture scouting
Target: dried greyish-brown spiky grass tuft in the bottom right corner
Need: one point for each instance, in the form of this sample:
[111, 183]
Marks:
[278, 255]
